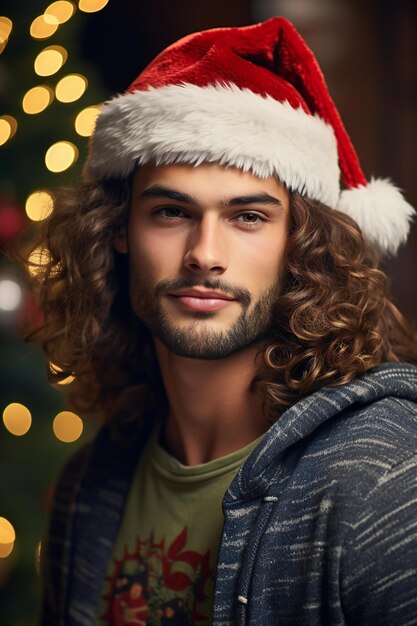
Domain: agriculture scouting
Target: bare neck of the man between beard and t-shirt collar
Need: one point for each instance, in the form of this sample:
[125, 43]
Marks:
[213, 411]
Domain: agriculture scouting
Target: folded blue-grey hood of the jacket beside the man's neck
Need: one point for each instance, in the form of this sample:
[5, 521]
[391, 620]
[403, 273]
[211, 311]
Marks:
[398, 380]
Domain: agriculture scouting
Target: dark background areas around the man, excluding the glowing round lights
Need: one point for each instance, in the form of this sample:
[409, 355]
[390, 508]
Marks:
[368, 52]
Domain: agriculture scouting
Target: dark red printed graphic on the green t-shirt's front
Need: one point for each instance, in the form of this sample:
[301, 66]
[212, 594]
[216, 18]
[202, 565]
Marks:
[158, 585]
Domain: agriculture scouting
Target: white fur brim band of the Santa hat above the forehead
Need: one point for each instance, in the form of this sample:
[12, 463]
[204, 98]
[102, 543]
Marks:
[217, 123]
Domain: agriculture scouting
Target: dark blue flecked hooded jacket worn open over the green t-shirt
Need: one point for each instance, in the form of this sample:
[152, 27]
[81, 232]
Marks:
[320, 522]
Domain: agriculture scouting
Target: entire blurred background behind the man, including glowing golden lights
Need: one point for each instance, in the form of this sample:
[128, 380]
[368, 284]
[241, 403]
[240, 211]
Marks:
[58, 62]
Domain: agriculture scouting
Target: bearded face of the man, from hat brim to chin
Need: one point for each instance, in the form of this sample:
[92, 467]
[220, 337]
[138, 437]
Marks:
[206, 251]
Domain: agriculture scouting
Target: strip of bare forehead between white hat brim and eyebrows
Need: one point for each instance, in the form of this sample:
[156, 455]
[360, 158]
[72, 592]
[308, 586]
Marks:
[208, 182]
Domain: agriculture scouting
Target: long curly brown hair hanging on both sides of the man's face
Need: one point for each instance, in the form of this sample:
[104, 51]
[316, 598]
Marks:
[333, 321]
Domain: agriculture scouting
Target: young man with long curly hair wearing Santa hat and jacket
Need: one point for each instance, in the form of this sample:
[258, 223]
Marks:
[218, 296]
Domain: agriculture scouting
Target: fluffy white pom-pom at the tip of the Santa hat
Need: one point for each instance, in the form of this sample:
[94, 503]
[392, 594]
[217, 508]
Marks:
[381, 211]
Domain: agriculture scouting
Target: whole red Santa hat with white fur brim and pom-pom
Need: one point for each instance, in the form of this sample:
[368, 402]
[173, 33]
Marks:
[254, 98]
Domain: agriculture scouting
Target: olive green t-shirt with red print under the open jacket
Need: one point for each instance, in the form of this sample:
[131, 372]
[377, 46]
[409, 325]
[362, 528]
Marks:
[163, 563]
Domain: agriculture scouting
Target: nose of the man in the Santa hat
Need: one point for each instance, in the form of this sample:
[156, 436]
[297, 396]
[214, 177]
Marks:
[206, 250]
